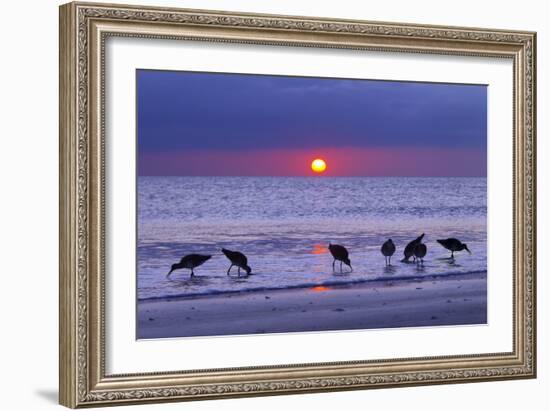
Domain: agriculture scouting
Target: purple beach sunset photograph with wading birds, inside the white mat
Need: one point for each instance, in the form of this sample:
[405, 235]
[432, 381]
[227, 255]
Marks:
[277, 204]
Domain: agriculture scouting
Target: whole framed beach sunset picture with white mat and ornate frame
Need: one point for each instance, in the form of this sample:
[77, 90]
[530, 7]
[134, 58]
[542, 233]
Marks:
[338, 204]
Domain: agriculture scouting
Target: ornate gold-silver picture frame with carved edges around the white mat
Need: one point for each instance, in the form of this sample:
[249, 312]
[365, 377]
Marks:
[84, 30]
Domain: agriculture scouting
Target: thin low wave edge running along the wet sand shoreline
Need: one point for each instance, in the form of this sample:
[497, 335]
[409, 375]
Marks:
[327, 283]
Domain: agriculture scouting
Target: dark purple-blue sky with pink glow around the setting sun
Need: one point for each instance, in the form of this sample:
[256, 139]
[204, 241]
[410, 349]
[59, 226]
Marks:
[210, 124]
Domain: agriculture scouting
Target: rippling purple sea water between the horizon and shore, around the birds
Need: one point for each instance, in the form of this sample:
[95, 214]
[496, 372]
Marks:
[284, 225]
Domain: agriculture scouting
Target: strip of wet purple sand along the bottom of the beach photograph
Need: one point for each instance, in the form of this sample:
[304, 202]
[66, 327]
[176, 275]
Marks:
[382, 304]
